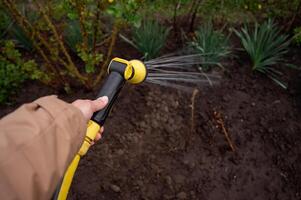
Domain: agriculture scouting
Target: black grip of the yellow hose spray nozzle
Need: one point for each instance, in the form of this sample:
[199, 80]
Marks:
[111, 89]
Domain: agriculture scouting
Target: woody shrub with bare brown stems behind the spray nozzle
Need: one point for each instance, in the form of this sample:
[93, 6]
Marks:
[91, 39]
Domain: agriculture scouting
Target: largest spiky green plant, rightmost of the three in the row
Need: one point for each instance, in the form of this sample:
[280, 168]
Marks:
[266, 46]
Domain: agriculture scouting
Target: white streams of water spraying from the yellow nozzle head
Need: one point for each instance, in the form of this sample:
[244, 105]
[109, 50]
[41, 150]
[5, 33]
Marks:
[179, 71]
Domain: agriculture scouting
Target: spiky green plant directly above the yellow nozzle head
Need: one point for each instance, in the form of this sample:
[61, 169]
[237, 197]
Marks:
[149, 38]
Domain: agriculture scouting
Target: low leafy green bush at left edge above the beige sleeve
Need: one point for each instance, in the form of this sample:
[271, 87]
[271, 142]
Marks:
[14, 70]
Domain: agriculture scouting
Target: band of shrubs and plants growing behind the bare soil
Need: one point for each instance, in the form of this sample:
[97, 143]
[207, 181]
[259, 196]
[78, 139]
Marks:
[69, 43]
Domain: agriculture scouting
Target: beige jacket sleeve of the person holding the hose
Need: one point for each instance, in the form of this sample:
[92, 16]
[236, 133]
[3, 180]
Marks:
[37, 143]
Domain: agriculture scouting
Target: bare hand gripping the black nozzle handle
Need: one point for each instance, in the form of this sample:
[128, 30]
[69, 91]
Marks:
[88, 107]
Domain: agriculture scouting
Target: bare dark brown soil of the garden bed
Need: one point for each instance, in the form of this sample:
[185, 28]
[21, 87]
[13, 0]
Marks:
[150, 151]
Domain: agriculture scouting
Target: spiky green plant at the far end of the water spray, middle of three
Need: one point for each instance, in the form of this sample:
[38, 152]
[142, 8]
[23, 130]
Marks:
[212, 45]
